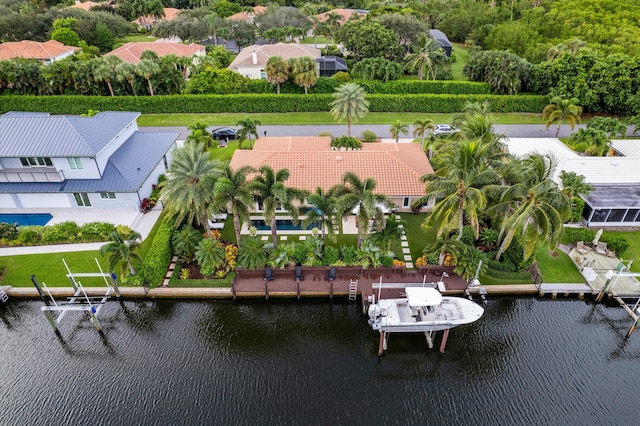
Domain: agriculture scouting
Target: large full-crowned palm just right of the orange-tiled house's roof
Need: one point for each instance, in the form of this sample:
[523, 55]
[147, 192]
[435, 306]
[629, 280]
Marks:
[457, 186]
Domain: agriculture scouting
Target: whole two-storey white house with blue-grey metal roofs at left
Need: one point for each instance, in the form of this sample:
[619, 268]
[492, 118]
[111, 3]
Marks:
[103, 161]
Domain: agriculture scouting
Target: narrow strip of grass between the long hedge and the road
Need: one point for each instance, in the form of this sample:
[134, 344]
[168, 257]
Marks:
[297, 118]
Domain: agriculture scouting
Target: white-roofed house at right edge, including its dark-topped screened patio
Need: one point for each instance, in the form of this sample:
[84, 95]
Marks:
[615, 198]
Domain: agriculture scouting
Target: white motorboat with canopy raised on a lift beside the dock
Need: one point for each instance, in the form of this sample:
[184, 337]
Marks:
[424, 309]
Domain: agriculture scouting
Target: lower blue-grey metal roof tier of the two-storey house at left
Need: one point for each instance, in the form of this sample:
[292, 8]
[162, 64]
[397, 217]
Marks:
[126, 171]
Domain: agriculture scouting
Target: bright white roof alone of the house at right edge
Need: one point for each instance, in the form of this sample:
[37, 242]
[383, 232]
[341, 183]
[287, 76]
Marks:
[596, 170]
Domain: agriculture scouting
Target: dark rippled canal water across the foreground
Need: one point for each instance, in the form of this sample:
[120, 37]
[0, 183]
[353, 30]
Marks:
[526, 362]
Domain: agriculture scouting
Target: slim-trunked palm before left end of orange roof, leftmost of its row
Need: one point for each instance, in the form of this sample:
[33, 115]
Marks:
[232, 193]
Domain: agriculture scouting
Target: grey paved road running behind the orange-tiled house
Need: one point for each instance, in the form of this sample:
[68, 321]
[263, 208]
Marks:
[381, 130]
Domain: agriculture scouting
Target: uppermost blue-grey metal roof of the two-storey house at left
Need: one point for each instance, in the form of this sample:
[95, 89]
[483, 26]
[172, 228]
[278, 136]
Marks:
[28, 135]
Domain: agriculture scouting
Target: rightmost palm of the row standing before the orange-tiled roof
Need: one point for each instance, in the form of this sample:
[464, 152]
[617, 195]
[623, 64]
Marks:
[358, 196]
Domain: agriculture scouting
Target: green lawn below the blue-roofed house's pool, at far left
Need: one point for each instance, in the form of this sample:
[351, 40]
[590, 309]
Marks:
[49, 268]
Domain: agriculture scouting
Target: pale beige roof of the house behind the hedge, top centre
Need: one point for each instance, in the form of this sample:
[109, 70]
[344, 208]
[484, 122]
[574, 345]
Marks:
[246, 56]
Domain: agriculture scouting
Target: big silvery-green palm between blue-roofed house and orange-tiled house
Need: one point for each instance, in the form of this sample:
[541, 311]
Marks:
[188, 191]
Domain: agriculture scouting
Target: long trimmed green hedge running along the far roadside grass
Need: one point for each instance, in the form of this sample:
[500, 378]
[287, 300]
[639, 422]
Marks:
[262, 103]
